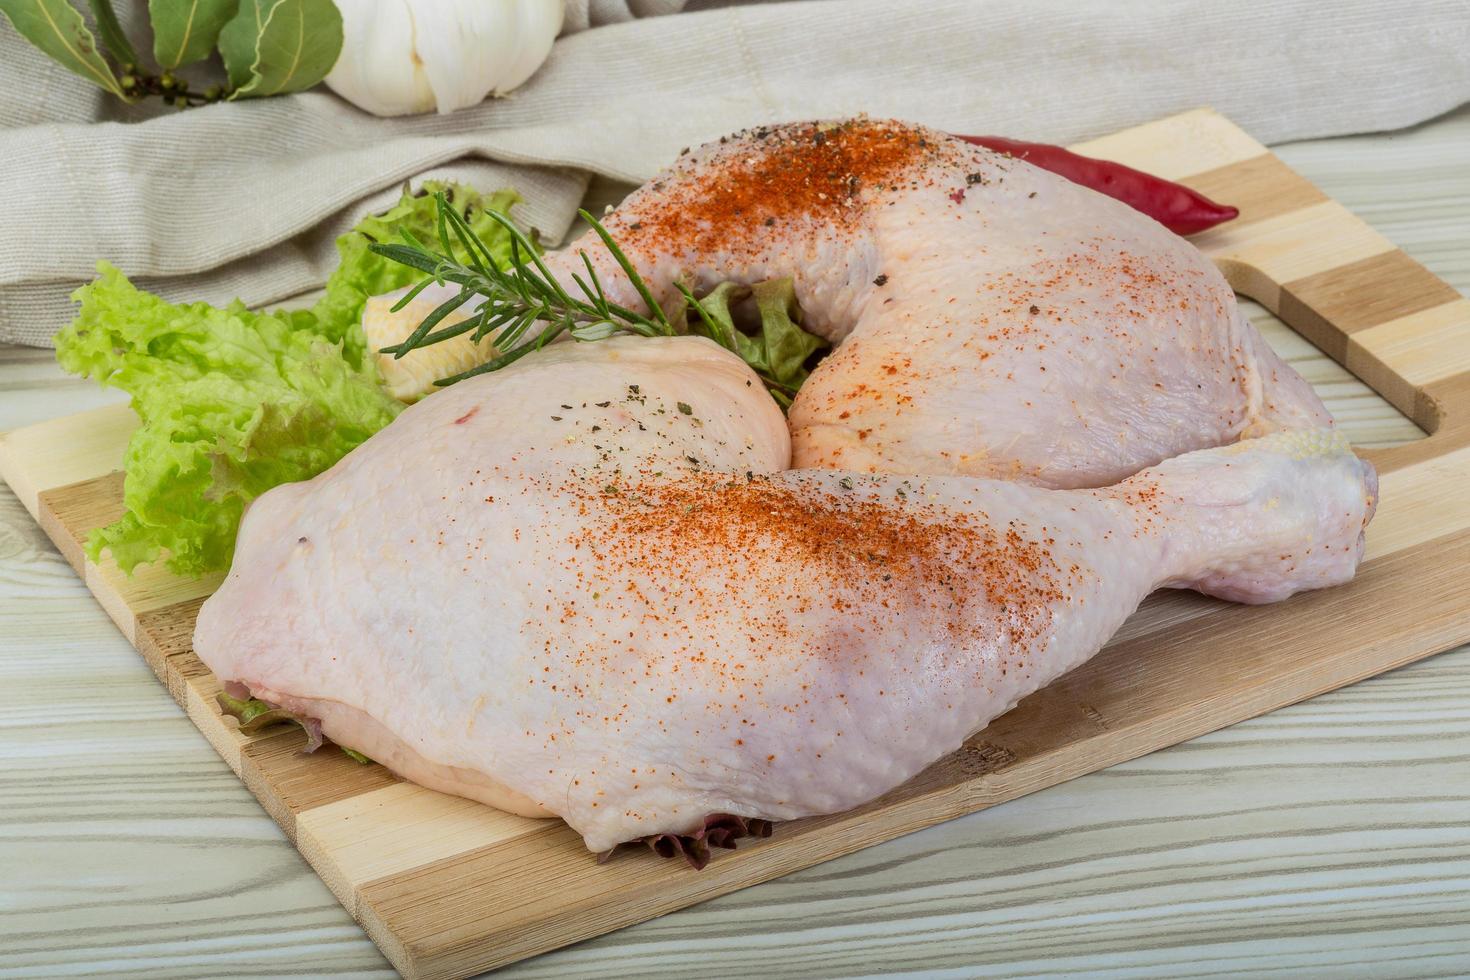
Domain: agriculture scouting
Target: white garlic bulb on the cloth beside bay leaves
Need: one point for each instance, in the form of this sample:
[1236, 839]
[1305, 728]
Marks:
[408, 57]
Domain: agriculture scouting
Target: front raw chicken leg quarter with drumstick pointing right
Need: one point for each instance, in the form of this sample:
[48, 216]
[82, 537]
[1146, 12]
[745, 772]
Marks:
[589, 586]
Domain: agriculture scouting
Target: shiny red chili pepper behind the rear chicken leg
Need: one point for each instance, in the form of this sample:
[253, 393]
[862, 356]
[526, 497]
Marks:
[1174, 206]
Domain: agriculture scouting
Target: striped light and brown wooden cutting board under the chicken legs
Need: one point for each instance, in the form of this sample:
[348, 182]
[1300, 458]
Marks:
[449, 888]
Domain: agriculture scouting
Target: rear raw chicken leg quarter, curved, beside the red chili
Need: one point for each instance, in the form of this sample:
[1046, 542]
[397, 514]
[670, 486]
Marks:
[993, 320]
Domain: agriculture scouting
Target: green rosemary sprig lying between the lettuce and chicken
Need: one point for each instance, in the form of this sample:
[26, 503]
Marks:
[514, 300]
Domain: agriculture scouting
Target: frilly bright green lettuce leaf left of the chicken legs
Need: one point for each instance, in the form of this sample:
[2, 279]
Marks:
[233, 402]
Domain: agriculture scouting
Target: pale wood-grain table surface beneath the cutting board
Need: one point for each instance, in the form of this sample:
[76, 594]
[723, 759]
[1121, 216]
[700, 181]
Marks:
[1331, 838]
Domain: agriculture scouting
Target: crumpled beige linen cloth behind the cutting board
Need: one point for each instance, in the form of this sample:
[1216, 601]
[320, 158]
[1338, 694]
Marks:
[245, 199]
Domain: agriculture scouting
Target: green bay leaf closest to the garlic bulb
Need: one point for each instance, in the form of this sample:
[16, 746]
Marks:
[280, 46]
